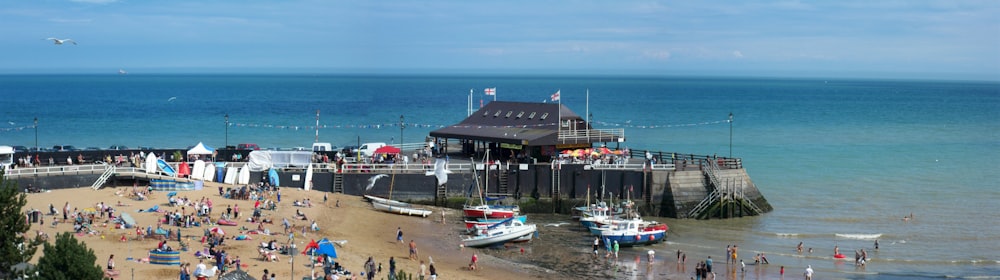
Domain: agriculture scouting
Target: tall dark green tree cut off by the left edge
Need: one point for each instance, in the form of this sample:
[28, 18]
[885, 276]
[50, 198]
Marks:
[15, 247]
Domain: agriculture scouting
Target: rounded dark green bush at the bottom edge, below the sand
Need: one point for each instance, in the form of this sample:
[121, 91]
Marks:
[68, 259]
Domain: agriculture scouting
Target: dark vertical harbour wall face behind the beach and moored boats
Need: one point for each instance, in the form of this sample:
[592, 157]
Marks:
[665, 193]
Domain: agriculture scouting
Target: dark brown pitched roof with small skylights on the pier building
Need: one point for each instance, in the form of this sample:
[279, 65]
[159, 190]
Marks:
[522, 123]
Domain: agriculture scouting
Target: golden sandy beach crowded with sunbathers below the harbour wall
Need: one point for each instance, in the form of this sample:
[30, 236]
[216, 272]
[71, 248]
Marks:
[368, 233]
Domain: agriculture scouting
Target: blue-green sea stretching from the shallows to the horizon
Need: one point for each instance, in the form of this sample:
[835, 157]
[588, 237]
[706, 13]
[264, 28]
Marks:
[842, 161]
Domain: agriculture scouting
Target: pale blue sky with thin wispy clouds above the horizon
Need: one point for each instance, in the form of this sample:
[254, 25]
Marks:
[889, 39]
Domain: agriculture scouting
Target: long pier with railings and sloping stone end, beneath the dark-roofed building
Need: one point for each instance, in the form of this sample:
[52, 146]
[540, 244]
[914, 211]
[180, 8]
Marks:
[679, 186]
